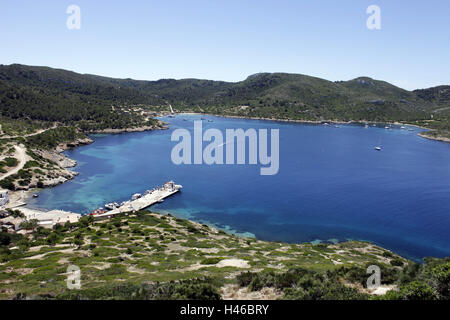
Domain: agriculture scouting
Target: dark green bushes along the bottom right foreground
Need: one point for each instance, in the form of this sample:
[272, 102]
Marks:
[429, 281]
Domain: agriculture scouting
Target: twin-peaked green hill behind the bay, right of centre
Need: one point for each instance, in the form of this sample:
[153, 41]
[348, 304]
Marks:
[302, 97]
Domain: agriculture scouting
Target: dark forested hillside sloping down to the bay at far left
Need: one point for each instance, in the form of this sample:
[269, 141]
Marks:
[50, 95]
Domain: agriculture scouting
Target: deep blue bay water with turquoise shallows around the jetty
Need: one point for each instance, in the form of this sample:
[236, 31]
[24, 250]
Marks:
[331, 186]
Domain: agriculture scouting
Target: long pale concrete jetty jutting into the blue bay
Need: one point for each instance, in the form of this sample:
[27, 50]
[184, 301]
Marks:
[140, 202]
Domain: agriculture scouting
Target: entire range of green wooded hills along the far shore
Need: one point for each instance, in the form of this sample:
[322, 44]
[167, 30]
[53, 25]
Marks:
[46, 94]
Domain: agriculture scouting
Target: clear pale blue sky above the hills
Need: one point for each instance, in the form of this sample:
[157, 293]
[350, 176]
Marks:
[231, 39]
